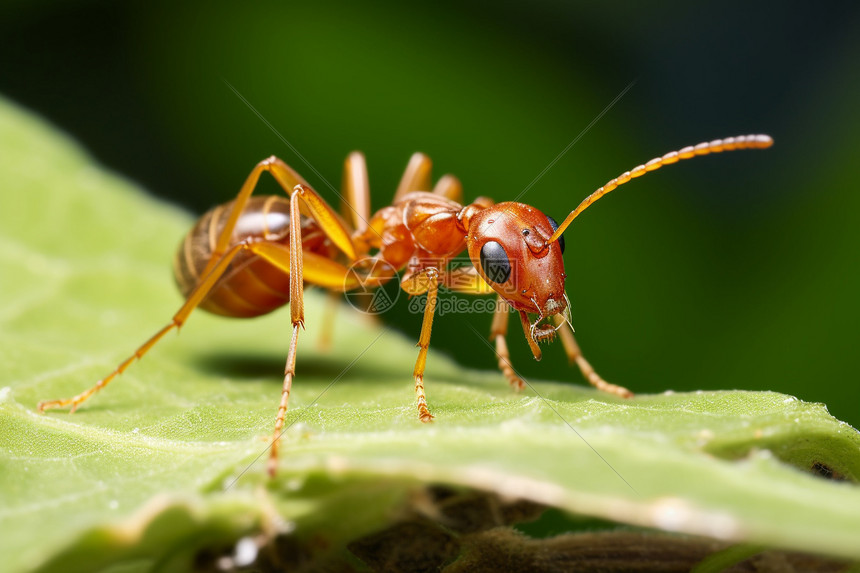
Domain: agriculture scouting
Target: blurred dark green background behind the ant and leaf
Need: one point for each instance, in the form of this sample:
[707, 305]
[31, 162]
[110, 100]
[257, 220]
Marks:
[737, 271]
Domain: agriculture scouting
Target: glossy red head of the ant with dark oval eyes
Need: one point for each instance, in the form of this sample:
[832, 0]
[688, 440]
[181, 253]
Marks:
[509, 246]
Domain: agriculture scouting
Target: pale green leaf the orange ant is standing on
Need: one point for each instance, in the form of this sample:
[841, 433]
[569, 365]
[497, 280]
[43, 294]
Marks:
[165, 467]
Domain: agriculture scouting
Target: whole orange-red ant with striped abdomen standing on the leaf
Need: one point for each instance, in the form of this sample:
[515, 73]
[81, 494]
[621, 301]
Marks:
[241, 257]
